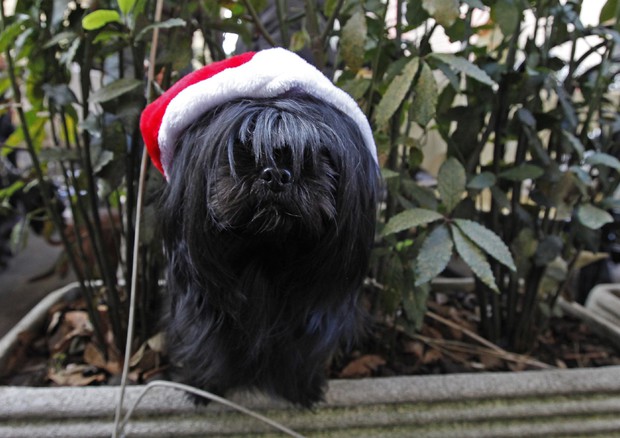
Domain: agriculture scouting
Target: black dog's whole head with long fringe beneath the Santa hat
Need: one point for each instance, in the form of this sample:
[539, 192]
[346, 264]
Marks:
[274, 168]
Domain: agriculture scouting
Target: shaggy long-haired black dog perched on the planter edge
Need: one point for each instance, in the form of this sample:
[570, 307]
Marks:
[268, 220]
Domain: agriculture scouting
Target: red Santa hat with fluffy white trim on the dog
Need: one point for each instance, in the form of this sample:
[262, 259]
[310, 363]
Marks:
[268, 73]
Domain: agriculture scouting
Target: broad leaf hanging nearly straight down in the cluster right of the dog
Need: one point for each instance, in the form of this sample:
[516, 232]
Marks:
[434, 255]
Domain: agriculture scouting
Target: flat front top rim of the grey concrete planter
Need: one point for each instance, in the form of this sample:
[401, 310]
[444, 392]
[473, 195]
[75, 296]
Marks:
[48, 402]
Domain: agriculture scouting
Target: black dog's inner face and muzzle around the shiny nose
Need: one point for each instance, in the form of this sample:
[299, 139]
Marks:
[275, 189]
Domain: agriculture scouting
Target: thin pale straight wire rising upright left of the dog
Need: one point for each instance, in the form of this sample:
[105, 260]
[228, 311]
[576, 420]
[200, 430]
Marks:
[136, 242]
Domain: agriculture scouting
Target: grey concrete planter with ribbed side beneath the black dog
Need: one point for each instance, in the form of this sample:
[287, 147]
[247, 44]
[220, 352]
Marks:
[536, 403]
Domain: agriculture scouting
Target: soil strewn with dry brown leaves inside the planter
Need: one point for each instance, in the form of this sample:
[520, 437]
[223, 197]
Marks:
[65, 351]
